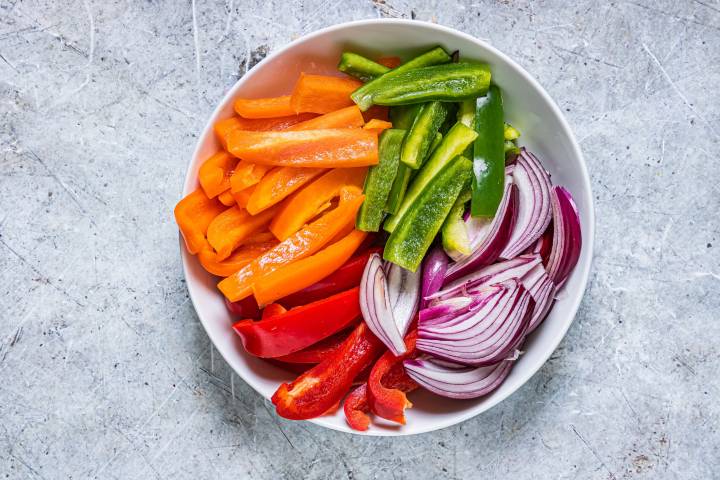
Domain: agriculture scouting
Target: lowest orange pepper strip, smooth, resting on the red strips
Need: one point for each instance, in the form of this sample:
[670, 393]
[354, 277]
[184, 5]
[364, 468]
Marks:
[303, 273]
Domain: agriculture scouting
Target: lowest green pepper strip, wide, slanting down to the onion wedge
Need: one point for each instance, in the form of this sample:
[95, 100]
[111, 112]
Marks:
[422, 220]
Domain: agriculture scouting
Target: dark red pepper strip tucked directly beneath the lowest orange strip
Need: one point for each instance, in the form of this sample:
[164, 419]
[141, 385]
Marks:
[345, 277]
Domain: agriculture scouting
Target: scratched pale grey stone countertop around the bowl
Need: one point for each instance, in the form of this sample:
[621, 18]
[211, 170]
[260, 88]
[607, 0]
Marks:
[105, 371]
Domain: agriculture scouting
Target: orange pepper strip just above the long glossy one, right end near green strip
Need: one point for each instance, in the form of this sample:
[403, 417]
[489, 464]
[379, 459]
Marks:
[309, 201]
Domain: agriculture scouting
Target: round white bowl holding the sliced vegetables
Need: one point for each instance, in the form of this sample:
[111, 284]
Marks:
[527, 106]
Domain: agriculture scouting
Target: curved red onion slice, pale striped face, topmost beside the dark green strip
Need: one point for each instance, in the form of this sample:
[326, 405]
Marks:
[534, 211]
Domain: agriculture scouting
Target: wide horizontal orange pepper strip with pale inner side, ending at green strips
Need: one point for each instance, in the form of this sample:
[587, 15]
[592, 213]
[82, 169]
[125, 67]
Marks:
[324, 148]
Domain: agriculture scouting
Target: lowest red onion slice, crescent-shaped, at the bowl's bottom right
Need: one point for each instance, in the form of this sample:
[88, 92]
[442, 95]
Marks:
[457, 381]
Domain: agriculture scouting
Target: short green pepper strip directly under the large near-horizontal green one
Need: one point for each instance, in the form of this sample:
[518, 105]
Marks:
[422, 133]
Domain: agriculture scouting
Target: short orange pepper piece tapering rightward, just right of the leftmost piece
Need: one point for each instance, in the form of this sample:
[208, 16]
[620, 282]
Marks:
[234, 227]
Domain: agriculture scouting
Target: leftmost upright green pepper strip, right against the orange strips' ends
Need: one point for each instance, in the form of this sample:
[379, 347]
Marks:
[379, 181]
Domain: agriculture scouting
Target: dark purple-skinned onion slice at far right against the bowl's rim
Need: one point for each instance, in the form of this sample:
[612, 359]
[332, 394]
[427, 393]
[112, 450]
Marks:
[567, 236]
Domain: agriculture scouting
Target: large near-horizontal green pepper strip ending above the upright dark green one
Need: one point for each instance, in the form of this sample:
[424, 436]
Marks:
[450, 82]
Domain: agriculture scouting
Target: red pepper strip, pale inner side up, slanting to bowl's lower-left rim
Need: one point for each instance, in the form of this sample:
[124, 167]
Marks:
[321, 387]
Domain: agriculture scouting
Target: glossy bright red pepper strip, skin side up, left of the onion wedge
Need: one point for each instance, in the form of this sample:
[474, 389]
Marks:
[300, 327]
